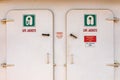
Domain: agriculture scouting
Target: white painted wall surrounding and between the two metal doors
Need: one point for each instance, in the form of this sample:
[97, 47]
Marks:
[59, 9]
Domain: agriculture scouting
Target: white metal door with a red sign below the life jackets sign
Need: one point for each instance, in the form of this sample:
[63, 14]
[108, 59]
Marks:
[90, 45]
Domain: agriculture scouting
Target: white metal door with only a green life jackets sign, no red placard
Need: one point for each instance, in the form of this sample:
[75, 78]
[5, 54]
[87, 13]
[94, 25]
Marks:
[29, 45]
